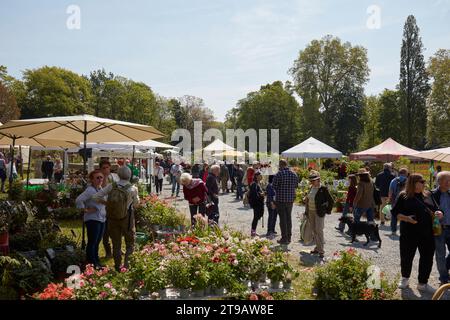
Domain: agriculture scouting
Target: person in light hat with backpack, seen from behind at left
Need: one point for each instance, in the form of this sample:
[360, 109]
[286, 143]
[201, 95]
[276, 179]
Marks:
[122, 198]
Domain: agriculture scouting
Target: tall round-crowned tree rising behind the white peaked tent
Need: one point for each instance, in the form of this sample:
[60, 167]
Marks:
[324, 68]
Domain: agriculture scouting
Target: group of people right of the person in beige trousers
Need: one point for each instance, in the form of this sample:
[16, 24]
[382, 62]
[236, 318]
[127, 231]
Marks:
[424, 217]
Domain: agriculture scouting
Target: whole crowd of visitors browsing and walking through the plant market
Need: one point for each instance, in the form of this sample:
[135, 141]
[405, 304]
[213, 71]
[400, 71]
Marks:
[110, 199]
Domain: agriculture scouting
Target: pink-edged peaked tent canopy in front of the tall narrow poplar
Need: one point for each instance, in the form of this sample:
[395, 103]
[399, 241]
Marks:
[389, 150]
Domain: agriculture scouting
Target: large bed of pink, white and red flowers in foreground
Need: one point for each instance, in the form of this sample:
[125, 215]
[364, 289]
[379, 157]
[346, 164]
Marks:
[204, 259]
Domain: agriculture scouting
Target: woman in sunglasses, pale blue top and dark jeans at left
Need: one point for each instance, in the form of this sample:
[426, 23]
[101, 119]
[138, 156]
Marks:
[94, 217]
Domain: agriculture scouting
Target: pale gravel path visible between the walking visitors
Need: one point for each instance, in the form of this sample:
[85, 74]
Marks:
[235, 215]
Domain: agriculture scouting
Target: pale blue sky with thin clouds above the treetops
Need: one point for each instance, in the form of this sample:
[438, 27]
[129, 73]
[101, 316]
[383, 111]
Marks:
[218, 50]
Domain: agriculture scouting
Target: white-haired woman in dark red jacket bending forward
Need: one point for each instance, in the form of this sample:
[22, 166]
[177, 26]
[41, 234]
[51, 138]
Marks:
[195, 192]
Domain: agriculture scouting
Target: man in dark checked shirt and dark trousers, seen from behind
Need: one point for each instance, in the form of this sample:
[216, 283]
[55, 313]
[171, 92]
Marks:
[285, 185]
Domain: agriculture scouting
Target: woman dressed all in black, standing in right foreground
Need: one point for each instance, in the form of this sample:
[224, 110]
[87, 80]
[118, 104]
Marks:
[415, 210]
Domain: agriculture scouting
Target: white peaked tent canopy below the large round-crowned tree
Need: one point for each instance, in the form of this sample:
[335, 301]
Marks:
[312, 149]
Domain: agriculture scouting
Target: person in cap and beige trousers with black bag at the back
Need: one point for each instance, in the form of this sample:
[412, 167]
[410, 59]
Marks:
[319, 202]
